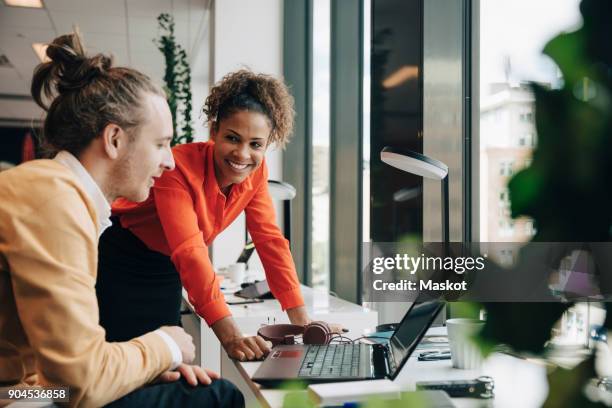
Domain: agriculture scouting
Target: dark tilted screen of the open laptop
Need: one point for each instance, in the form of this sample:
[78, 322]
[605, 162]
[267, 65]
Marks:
[411, 330]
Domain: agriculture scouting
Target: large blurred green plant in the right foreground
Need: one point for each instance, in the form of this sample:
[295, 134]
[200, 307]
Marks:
[567, 190]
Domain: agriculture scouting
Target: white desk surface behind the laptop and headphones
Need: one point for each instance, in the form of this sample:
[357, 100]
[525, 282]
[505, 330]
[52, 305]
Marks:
[249, 318]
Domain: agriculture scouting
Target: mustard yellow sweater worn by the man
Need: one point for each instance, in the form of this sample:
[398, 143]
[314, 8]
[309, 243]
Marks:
[49, 331]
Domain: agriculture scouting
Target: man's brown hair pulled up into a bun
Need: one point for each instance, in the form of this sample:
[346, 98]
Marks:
[83, 94]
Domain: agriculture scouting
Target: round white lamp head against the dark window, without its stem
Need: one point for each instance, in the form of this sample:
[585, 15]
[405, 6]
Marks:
[414, 163]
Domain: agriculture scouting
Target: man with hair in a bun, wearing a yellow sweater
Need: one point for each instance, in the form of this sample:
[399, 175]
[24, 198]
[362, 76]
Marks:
[111, 128]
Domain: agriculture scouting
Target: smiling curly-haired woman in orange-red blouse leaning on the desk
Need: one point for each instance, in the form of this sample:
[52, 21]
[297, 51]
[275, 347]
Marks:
[157, 246]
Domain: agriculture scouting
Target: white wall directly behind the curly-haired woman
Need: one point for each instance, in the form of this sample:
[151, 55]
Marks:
[246, 34]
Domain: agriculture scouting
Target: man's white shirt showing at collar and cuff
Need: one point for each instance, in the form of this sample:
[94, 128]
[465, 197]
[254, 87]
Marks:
[103, 210]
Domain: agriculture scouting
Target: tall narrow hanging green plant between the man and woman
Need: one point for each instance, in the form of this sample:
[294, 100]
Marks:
[177, 78]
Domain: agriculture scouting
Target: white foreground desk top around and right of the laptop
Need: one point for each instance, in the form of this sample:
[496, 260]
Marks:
[518, 383]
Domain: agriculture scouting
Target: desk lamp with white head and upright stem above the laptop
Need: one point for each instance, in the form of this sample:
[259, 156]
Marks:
[421, 165]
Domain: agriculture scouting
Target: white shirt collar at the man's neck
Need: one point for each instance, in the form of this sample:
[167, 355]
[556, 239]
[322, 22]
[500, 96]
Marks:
[102, 205]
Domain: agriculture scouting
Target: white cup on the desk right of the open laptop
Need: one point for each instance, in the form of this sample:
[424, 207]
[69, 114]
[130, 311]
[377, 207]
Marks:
[464, 353]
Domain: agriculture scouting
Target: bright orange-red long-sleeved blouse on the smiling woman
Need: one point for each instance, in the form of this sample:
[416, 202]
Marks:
[186, 210]
